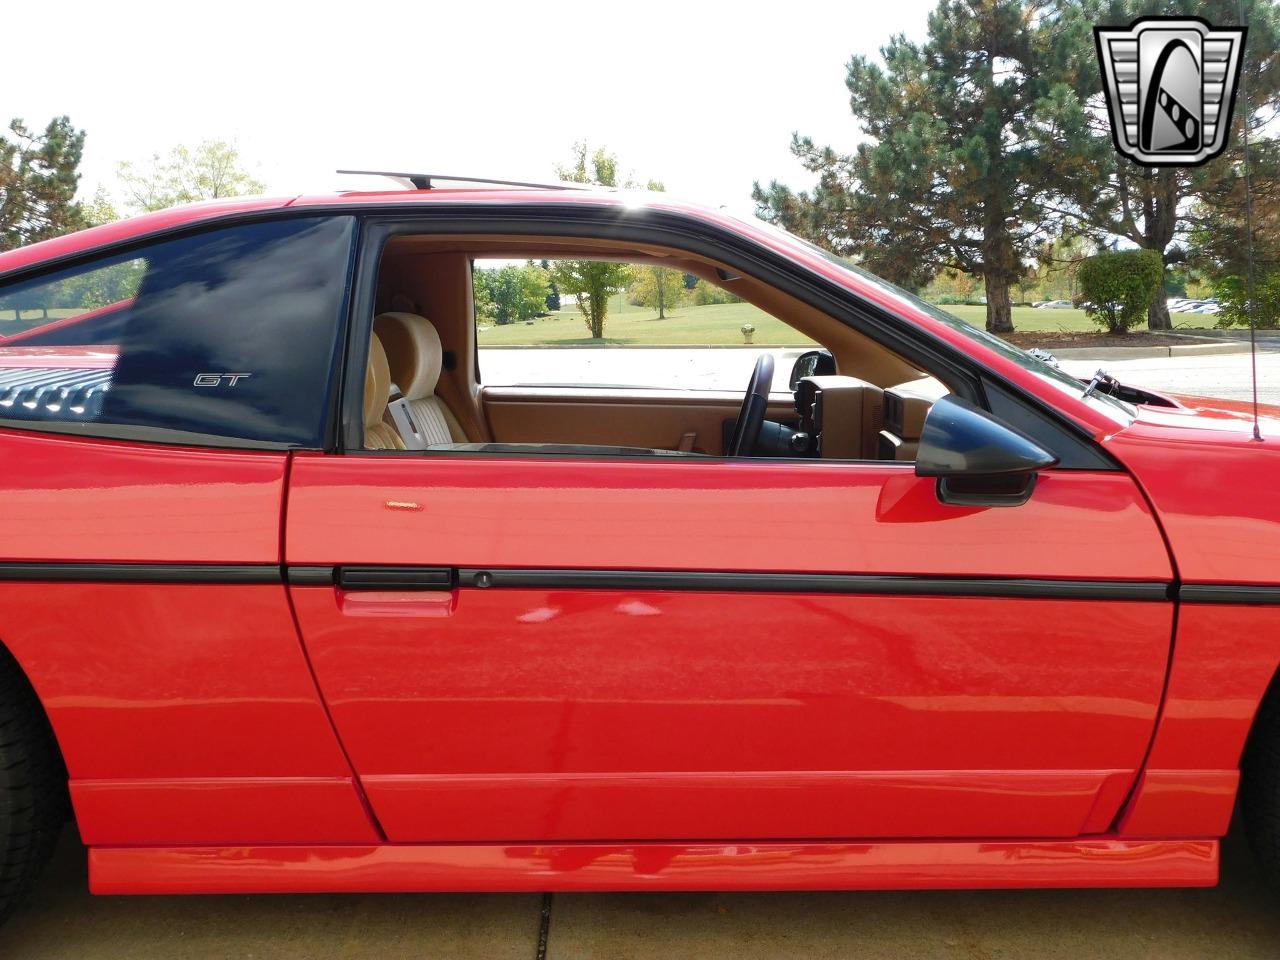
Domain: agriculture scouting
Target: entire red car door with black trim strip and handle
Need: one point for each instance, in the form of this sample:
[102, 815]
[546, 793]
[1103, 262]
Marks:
[570, 648]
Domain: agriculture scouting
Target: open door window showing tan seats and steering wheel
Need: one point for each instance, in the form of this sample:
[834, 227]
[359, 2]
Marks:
[588, 349]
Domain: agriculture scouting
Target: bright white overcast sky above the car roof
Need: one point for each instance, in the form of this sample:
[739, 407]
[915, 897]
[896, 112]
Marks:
[702, 97]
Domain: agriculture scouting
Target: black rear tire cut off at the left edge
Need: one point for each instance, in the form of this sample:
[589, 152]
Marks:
[34, 802]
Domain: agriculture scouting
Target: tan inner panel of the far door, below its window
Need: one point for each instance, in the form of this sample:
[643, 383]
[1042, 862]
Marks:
[651, 419]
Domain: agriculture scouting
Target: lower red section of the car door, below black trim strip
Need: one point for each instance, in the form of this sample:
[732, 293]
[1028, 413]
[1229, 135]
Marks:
[648, 715]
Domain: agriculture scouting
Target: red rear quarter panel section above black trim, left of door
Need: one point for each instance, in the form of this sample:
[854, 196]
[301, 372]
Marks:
[70, 499]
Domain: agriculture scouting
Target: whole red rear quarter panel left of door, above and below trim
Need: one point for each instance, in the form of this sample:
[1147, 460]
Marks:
[152, 687]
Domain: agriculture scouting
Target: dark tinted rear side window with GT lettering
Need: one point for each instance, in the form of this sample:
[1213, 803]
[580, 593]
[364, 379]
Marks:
[223, 335]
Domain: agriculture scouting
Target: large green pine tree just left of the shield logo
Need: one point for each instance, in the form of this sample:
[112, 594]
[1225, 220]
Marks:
[954, 173]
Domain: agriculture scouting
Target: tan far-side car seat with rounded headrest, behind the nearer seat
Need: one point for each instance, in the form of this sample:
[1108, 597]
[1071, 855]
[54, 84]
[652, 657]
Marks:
[415, 356]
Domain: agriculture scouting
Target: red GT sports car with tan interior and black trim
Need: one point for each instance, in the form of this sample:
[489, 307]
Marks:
[301, 592]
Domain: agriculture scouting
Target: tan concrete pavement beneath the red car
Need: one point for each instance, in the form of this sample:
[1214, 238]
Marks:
[1236, 921]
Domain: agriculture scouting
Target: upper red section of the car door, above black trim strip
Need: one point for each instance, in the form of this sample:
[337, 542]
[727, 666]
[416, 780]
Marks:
[715, 515]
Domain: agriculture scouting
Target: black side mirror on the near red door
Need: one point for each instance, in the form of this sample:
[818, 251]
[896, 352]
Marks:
[979, 459]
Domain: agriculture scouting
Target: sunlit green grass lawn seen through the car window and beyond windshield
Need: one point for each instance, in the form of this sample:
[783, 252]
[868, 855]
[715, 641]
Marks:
[719, 324]
